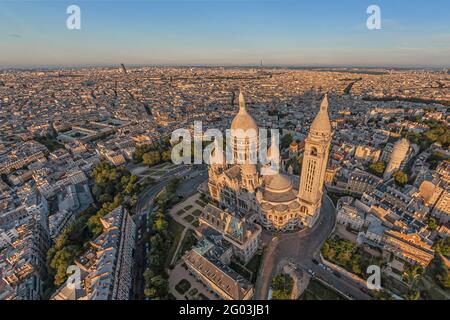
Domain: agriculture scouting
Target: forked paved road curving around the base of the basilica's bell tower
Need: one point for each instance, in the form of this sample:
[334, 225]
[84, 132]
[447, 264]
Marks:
[301, 248]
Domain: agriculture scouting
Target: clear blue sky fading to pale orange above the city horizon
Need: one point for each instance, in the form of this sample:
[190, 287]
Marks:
[225, 32]
